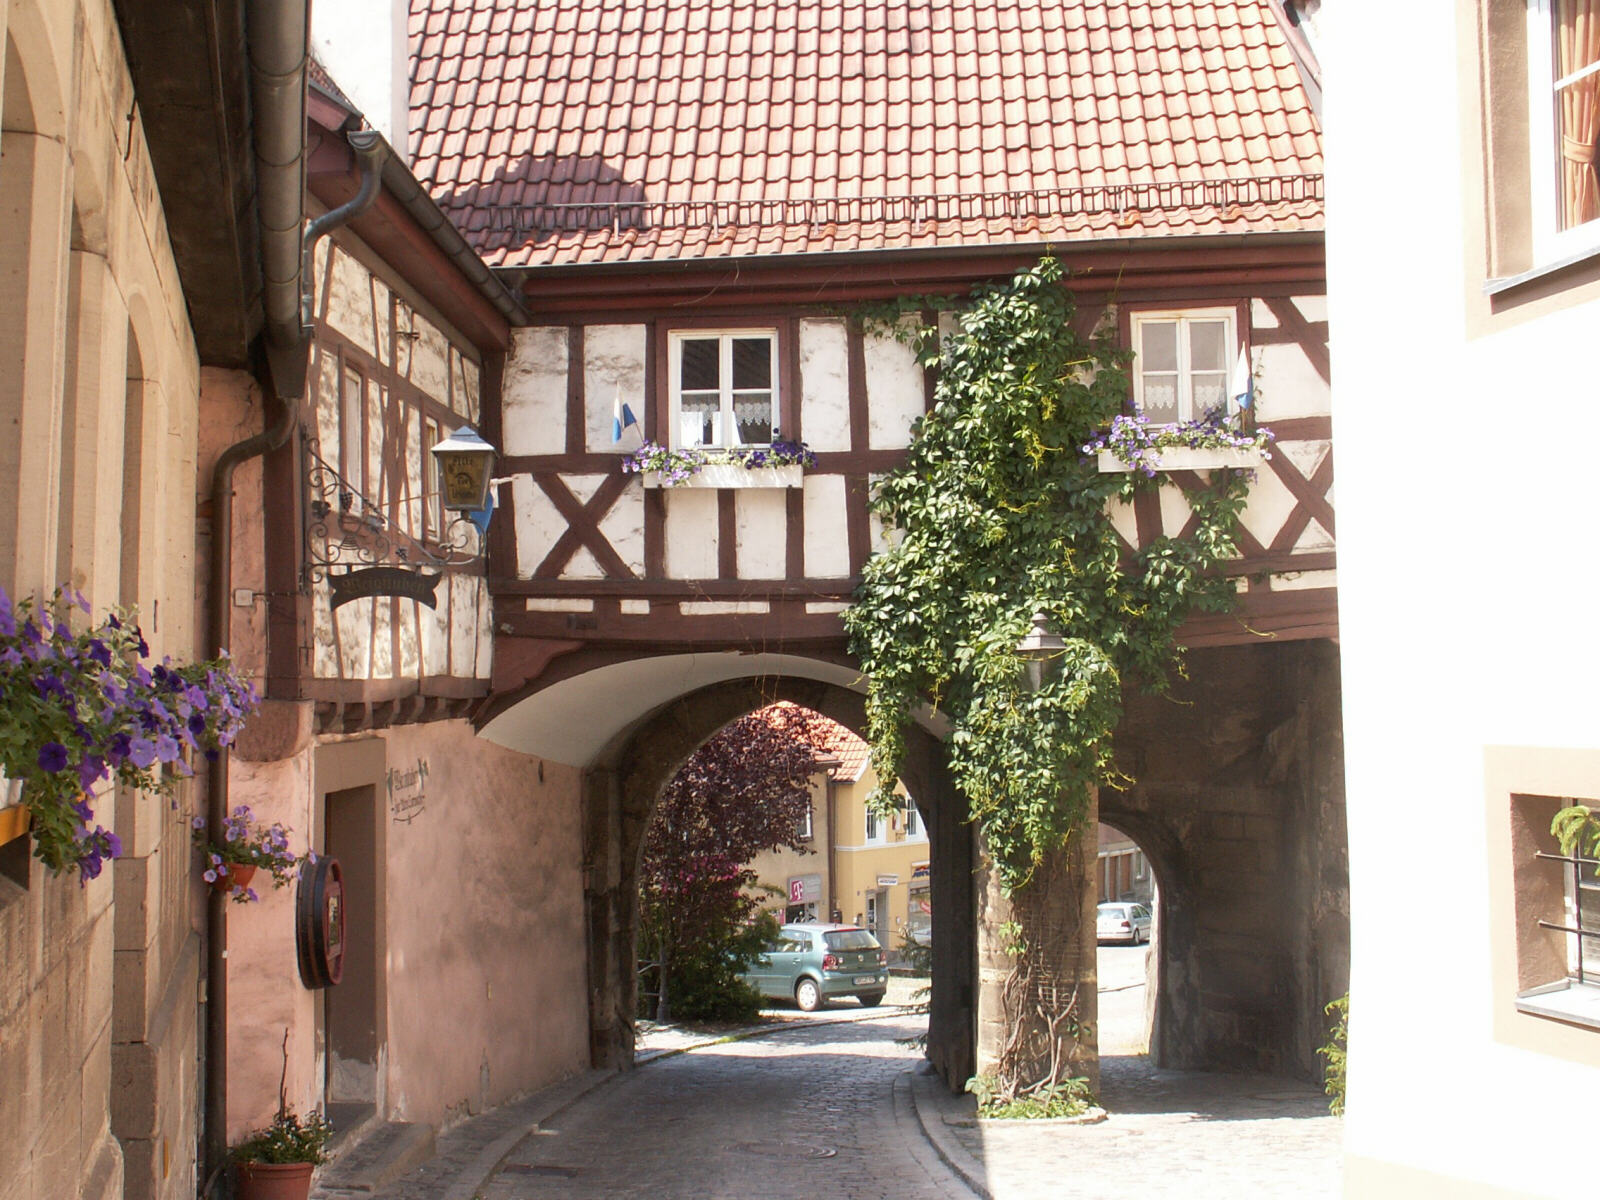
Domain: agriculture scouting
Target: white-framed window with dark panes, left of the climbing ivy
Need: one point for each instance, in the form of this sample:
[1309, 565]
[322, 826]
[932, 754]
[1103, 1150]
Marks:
[724, 388]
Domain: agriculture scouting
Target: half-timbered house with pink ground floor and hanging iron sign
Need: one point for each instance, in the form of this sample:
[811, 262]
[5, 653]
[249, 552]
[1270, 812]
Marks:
[364, 606]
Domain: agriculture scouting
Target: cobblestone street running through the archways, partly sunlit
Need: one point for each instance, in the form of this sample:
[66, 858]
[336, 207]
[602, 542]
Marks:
[830, 1105]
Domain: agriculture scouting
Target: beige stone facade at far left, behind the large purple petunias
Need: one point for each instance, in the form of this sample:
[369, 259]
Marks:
[97, 487]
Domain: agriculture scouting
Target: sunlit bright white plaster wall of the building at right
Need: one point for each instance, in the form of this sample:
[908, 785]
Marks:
[1466, 602]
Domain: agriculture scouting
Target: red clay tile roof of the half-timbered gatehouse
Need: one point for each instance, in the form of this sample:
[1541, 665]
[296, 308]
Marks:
[633, 130]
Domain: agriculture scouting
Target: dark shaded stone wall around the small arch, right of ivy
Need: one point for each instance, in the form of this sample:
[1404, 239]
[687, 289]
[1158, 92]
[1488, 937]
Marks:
[1239, 804]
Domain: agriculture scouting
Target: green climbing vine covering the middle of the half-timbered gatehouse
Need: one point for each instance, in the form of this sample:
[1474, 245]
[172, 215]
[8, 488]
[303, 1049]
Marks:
[999, 511]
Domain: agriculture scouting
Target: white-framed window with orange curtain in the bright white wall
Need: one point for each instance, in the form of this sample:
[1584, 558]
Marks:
[1564, 126]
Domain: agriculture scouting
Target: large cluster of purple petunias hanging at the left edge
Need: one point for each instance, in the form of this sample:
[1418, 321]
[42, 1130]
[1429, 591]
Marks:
[81, 706]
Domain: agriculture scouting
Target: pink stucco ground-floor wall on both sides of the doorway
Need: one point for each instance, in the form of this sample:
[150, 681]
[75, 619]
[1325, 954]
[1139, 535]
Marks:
[482, 932]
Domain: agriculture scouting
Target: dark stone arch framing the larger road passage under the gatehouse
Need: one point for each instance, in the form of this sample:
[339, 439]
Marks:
[618, 799]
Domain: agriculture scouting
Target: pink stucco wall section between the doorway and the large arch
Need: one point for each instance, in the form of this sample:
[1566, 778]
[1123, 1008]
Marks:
[487, 962]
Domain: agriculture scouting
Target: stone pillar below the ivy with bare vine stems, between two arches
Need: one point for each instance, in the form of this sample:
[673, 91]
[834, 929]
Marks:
[1038, 1004]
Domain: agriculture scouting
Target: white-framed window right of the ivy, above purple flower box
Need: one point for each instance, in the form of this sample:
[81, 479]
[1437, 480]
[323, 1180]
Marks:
[1183, 364]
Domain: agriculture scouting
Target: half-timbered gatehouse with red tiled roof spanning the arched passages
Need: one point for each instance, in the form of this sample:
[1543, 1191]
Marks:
[706, 214]
